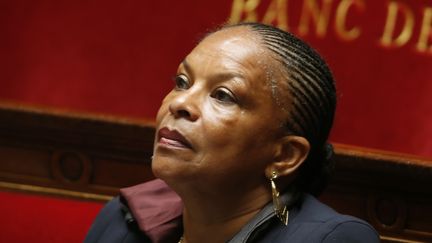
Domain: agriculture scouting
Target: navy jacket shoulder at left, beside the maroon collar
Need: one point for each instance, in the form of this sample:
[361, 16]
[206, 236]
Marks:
[111, 226]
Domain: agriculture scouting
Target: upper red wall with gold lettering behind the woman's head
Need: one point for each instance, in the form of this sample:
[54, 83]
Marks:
[118, 58]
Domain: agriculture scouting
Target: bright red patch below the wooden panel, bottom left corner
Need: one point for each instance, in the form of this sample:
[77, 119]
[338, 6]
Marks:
[42, 219]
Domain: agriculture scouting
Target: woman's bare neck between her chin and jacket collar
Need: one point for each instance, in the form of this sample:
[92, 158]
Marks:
[218, 218]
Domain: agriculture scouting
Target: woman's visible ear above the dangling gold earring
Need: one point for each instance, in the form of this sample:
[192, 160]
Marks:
[291, 152]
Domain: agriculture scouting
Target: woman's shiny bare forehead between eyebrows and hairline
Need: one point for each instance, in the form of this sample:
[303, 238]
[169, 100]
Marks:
[234, 50]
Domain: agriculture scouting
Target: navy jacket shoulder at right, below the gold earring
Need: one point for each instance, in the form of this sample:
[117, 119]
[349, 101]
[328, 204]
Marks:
[314, 221]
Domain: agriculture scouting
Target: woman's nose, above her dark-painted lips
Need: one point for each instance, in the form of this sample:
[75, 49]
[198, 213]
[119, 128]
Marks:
[185, 105]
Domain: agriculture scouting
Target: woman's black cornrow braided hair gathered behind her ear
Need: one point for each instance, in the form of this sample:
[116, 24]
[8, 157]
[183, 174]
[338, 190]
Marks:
[313, 91]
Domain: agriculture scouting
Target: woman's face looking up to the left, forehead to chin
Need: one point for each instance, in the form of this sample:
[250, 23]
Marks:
[219, 125]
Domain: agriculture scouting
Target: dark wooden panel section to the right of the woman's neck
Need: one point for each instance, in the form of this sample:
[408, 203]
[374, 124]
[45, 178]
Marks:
[391, 191]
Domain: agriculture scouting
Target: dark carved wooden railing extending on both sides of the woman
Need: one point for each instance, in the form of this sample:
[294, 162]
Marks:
[88, 156]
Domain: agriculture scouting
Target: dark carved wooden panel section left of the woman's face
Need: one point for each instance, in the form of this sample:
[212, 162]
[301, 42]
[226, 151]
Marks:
[85, 153]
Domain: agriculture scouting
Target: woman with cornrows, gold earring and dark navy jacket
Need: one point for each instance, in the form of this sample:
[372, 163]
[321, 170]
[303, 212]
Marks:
[241, 139]
